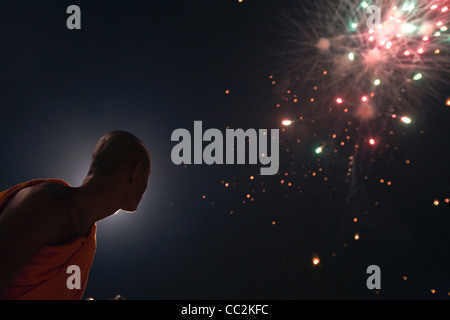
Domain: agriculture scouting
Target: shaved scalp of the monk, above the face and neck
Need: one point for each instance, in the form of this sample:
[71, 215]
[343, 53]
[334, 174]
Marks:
[117, 150]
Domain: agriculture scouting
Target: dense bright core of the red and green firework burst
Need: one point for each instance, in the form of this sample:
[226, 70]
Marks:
[346, 59]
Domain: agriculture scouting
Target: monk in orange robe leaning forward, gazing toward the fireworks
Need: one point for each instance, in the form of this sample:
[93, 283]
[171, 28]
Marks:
[48, 228]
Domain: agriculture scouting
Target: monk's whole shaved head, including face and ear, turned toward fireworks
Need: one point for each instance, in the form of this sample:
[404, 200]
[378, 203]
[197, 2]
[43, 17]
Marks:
[121, 159]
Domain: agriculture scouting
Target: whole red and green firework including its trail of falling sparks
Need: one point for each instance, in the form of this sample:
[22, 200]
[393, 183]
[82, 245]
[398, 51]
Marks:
[351, 75]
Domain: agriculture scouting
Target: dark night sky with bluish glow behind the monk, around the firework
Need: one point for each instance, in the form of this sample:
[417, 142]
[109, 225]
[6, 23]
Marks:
[219, 231]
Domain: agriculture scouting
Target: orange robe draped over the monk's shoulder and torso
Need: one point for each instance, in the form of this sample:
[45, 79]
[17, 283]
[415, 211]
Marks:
[45, 276]
